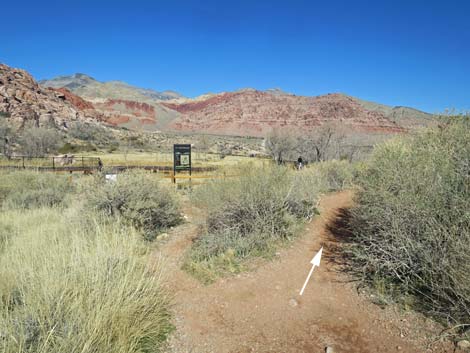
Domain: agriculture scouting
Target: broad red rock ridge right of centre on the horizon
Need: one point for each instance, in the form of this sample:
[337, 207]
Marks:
[254, 113]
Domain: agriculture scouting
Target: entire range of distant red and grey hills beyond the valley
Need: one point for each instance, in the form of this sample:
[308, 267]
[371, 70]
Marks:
[246, 112]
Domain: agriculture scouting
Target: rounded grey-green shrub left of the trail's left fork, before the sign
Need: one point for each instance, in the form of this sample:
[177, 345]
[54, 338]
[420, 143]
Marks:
[139, 199]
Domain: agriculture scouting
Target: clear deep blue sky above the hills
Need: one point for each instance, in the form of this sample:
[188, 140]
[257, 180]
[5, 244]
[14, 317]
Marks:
[413, 53]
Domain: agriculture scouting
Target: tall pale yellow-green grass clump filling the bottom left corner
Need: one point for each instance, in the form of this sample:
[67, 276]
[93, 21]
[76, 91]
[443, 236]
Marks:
[67, 289]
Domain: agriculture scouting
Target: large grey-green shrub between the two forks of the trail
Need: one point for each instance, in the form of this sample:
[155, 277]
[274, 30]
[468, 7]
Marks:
[248, 215]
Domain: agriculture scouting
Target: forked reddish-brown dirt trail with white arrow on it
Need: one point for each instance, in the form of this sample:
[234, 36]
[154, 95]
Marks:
[262, 311]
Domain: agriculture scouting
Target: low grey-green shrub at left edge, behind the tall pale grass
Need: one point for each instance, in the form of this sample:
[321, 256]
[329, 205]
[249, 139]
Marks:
[27, 189]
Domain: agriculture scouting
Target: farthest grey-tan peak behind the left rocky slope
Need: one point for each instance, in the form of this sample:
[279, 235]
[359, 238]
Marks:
[89, 88]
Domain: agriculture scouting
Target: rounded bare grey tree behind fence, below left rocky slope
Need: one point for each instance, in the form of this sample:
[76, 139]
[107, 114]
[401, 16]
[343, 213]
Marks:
[39, 141]
